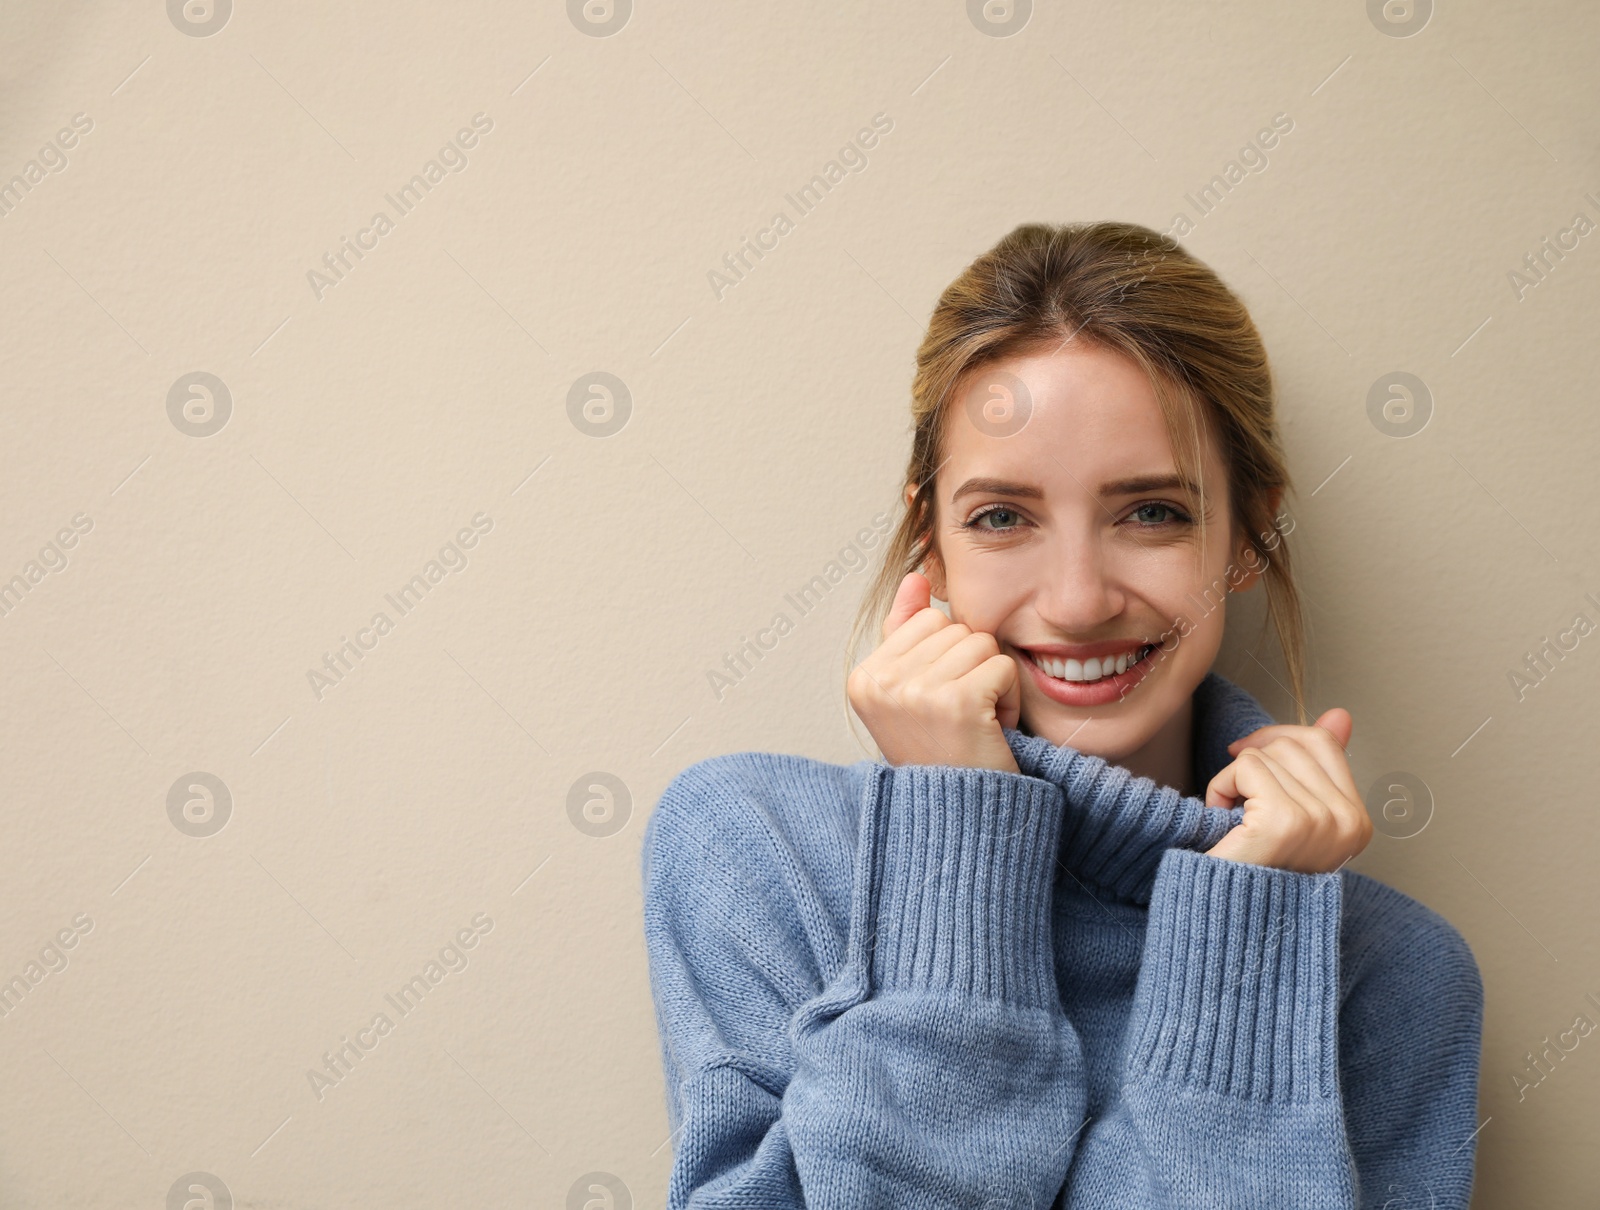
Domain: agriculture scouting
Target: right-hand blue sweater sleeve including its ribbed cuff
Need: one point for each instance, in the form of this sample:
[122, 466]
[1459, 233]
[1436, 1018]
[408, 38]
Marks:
[1233, 1091]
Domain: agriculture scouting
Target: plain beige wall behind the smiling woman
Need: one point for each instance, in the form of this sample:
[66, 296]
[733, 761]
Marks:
[426, 791]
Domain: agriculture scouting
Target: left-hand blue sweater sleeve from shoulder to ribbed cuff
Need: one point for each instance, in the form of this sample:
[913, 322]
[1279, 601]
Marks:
[932, 1068]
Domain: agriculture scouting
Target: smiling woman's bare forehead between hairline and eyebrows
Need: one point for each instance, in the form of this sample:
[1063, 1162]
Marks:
[1062, 417]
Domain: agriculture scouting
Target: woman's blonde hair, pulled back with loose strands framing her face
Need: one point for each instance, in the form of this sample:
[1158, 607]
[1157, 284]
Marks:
[1130, 290]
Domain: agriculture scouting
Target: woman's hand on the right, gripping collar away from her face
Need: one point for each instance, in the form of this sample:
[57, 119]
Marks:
[1303, 811]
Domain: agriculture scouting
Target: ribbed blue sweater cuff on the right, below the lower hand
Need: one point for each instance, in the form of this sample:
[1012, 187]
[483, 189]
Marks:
[1239, 990]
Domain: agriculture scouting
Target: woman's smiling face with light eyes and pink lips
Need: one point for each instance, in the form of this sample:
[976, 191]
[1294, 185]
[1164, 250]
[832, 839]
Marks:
[1073, 543]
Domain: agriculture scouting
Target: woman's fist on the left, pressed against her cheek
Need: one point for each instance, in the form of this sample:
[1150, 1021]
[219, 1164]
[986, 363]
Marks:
[937, 692]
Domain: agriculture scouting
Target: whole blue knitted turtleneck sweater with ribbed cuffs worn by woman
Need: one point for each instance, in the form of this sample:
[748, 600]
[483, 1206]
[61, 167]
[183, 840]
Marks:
[938, 987]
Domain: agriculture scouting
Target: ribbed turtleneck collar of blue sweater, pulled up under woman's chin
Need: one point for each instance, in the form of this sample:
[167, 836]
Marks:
[1118, 827]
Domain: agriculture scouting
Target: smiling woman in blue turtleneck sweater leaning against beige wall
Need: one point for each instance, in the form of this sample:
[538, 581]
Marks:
[1022, 963]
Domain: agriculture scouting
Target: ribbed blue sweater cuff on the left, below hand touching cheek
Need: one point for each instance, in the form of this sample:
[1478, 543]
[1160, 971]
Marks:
[961, 868]
